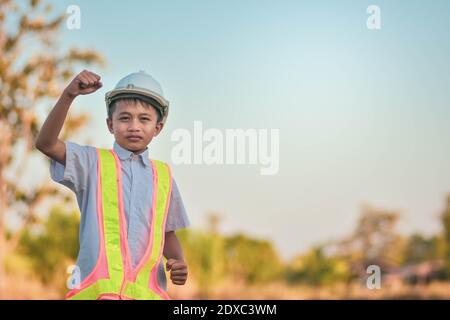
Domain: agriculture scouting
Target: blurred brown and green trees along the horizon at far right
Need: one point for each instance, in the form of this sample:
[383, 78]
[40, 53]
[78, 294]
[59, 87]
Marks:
[374, 241]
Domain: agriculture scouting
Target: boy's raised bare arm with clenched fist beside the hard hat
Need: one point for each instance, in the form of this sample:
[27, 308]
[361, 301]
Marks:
[47, 141]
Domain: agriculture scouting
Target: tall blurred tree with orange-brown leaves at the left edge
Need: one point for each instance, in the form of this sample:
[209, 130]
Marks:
[32, 71]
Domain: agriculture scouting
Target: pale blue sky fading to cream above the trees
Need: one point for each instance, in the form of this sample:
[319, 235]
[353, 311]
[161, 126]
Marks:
[363, 115]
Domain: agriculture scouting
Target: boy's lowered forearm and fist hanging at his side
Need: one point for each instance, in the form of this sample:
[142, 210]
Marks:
[175, 260]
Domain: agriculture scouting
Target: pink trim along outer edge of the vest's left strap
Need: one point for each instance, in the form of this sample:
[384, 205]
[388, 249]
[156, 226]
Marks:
[100, 270]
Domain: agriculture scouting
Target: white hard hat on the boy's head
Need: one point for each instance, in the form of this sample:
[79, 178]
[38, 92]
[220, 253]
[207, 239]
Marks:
[140, 85]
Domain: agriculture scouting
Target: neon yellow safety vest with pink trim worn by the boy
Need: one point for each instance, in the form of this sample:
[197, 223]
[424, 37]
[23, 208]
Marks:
[113, 276]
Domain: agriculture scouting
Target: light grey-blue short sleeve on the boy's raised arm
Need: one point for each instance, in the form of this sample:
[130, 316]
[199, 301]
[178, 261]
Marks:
[75, 174]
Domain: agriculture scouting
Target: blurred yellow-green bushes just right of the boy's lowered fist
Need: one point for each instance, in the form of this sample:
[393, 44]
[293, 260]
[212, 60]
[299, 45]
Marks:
[213, 258]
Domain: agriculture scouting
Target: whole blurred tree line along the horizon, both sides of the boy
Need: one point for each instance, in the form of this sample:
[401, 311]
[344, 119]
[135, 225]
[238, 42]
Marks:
[51, 245]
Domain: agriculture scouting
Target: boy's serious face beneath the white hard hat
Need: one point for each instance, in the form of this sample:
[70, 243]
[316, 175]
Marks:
[134, 125]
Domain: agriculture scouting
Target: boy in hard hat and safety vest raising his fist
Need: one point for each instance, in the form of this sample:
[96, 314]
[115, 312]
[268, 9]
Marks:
[130, 205]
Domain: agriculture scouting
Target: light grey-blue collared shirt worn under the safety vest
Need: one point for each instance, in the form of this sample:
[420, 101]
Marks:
[137, 184]
